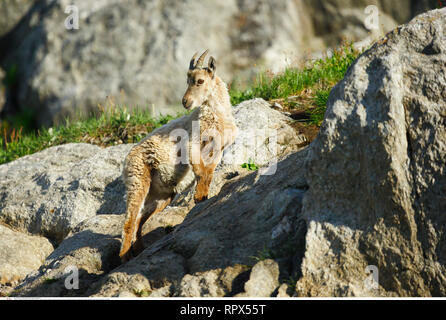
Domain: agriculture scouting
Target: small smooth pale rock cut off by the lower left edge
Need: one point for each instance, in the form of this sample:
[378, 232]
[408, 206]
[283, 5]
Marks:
[20, 254]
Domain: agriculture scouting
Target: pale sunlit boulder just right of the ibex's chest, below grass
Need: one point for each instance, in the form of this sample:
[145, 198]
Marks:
[265, 136]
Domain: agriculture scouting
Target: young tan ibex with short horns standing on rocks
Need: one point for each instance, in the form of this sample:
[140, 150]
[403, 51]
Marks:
[153, 176]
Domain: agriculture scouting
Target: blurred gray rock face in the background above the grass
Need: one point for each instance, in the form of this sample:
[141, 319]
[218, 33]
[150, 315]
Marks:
[138, 52]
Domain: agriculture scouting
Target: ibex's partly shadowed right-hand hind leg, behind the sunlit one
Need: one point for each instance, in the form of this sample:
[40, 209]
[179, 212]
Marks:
[153, 205]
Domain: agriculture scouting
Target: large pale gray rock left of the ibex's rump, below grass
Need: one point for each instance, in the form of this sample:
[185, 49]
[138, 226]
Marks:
[50, 192]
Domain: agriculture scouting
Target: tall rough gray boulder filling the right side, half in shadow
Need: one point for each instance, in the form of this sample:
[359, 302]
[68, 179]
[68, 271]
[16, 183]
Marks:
[376, 172]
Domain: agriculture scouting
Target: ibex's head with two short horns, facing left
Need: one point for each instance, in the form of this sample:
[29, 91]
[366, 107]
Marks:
[200, 81]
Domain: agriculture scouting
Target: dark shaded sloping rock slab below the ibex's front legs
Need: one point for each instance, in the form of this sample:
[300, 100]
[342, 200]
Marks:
[209, 253]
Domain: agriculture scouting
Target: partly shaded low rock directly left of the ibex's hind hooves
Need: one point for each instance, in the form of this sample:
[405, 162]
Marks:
[91, 250]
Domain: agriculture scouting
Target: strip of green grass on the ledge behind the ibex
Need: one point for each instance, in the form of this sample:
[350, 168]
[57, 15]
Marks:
[310, 85]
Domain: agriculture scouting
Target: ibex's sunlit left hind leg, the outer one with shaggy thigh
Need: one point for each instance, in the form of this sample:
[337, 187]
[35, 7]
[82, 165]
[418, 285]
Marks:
[137, 180]
